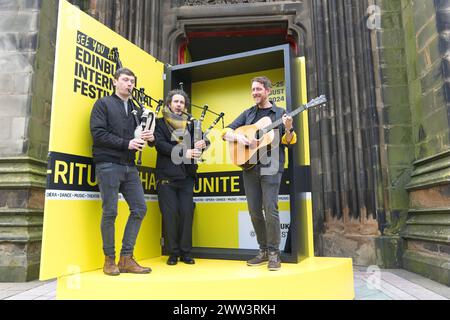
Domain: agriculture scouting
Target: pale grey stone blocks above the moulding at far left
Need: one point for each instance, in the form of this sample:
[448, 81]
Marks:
[18, 43]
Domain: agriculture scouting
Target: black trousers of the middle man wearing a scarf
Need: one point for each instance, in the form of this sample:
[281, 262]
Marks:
[176, 203]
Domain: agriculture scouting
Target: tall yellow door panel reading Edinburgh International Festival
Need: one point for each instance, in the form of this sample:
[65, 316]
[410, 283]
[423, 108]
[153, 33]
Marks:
[84, 69]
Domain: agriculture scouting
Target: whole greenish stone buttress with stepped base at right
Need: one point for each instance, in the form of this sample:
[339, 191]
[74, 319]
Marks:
[416, 128]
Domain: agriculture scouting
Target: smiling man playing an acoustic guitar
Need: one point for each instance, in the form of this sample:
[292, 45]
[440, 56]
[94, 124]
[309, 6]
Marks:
[261, 181]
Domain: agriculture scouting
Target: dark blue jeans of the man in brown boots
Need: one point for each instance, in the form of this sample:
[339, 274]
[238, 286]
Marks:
[114, 178]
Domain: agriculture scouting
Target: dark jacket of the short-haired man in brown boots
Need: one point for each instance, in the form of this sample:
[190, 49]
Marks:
[112, 130]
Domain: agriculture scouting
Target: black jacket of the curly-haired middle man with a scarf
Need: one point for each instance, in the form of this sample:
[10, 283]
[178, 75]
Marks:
[166, 169]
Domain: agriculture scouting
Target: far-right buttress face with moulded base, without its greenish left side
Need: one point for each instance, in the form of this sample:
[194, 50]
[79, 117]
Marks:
[427, 230]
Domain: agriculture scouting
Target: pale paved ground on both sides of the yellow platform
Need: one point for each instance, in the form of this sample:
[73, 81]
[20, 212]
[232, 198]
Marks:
[370, 284]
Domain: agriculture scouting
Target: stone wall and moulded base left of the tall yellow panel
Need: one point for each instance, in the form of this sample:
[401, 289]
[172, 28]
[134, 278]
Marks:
[27, 35]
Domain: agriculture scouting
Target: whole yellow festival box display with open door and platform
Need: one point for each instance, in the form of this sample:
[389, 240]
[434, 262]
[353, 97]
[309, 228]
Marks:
[222, 234]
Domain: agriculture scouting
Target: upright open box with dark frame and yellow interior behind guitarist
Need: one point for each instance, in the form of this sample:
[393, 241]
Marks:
[224, 83]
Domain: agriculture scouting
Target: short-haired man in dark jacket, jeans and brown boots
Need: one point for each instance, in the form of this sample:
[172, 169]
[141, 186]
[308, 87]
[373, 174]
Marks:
[114, 149]
